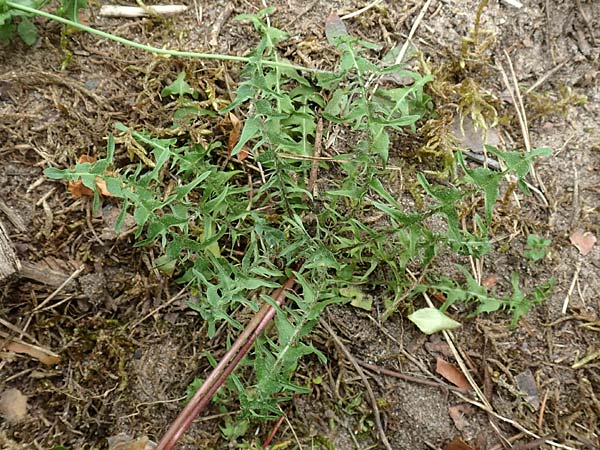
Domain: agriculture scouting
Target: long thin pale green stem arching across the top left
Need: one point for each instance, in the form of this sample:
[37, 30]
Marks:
[156, 50]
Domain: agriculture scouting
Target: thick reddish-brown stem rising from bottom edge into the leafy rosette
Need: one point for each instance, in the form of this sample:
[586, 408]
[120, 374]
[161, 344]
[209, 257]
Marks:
[220, 373]
